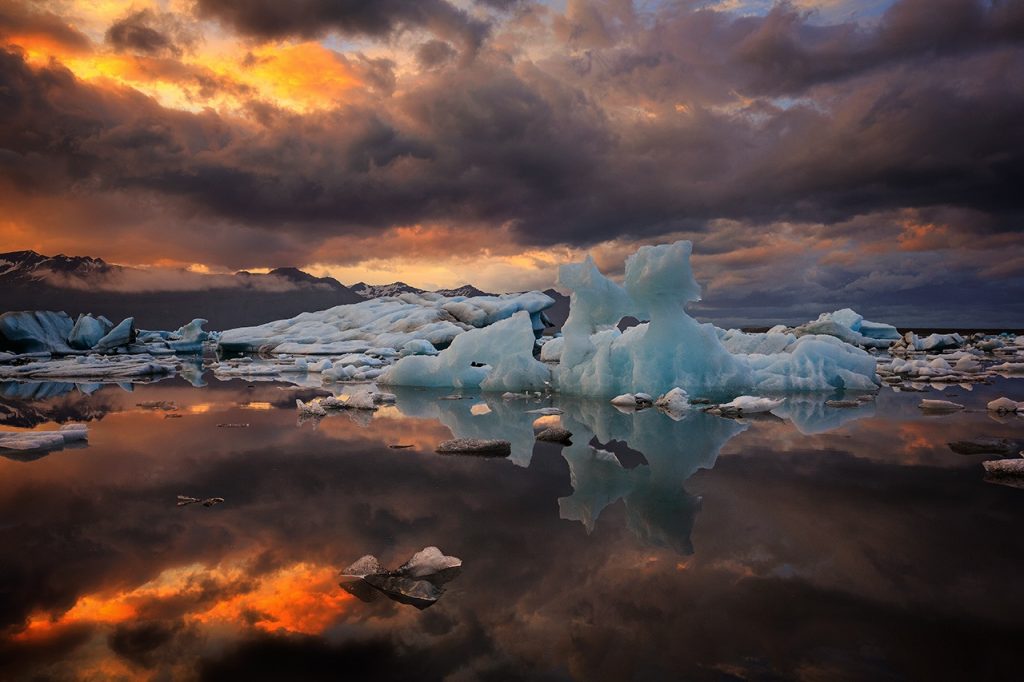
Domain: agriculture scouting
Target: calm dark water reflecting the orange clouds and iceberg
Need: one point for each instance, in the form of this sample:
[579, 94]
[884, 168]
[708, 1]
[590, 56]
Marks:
[837, 544]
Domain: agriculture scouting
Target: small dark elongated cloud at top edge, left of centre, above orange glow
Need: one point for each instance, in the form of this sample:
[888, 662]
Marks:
[311, 19]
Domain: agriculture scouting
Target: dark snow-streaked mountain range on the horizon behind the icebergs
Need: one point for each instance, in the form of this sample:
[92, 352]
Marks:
[30, 281]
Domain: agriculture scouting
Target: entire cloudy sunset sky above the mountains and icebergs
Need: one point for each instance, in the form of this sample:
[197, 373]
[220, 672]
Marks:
[819, 154]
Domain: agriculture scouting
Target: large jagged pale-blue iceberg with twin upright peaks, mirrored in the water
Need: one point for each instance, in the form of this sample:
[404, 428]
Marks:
[670, 350]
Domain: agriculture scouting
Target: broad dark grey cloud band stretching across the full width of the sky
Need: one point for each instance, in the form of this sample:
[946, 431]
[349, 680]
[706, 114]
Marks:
[499, 143]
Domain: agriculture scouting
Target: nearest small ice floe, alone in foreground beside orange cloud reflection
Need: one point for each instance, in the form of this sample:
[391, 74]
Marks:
[418, 582]
